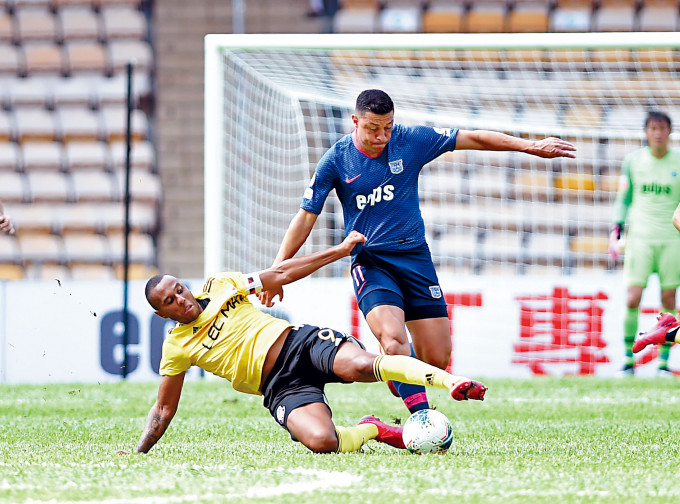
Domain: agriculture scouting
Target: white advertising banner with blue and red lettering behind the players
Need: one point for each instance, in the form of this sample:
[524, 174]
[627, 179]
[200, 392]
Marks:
[501, 326]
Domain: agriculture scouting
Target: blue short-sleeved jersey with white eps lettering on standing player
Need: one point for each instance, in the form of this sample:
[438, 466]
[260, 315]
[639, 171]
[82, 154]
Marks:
[379, 196]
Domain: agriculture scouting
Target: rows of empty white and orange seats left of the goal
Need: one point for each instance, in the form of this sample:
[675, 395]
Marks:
[62, 130]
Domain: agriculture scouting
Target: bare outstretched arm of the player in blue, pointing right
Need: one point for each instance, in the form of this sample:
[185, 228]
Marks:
[550, 147]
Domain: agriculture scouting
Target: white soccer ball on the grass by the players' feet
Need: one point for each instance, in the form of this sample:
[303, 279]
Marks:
[427, 431]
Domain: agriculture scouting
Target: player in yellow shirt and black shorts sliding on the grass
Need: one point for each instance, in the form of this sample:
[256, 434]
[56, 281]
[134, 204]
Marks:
[220, 331]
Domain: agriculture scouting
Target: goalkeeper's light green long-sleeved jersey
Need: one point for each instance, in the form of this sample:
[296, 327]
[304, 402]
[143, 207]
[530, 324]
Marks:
[649, 192]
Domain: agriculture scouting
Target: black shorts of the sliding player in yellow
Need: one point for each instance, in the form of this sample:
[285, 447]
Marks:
[302, 370]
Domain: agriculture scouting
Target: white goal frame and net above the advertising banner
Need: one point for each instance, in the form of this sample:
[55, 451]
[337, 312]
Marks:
[274, 103]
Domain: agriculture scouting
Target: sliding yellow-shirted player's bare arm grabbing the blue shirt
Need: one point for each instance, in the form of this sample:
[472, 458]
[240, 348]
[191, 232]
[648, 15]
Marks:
[296, 268]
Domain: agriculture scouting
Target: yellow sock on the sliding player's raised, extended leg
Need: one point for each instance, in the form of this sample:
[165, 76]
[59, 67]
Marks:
[409, 370]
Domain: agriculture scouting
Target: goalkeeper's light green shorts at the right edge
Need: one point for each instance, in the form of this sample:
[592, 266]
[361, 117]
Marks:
[642, 258]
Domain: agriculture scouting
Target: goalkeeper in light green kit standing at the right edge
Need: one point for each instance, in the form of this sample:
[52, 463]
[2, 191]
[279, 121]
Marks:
[649, 192]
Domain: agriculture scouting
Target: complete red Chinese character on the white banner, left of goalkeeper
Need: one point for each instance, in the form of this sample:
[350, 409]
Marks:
[561, 331]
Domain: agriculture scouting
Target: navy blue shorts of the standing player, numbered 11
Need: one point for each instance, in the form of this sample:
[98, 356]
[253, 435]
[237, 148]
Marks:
[404, 278]
